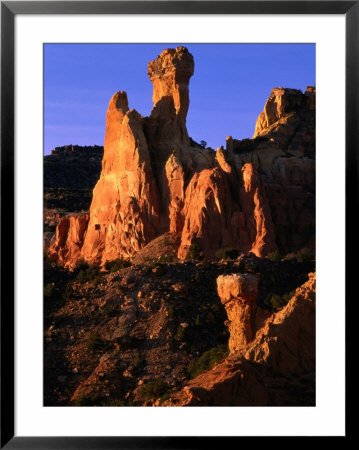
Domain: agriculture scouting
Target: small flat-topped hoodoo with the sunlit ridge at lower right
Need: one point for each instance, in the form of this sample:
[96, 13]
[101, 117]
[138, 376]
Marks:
[269, 364]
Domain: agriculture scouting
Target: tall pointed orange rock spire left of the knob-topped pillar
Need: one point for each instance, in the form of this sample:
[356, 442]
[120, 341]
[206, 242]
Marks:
[124, 210]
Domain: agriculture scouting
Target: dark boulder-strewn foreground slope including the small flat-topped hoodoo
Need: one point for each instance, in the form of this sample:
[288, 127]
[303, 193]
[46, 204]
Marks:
[147, 334]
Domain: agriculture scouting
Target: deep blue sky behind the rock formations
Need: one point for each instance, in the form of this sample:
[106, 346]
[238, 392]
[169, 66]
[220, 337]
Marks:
[230, 85]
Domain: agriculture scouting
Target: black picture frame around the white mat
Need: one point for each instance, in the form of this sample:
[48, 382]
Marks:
[9, 9]
